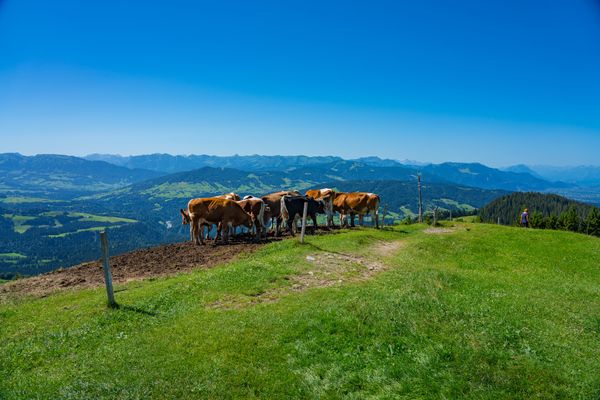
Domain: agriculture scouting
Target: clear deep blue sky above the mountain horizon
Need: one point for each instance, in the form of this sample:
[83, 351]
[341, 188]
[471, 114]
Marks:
[499, 82]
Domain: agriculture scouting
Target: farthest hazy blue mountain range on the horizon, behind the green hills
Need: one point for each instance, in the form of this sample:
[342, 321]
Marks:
[470, 174]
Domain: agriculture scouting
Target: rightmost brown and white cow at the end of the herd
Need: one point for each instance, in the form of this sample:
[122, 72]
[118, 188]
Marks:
[356, 203]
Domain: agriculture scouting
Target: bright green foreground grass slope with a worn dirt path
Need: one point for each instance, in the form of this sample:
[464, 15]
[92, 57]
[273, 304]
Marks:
[476, 311]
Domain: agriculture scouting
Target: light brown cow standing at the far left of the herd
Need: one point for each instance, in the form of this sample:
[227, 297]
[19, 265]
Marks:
[207, 211]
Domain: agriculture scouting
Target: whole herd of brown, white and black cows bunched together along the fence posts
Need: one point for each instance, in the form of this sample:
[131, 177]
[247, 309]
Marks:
[257, 214]
